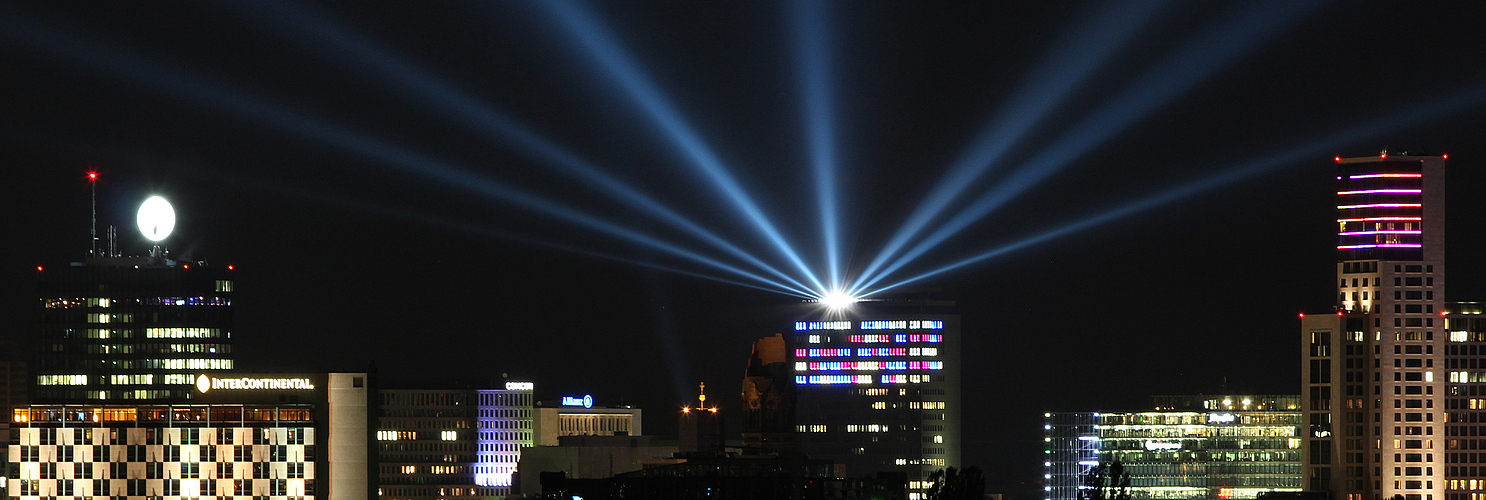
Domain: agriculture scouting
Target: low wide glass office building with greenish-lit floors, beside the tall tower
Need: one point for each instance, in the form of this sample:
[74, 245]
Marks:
[1190, 449]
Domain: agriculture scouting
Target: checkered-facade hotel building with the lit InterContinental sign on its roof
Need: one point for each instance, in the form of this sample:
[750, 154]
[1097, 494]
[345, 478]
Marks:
[247, 437]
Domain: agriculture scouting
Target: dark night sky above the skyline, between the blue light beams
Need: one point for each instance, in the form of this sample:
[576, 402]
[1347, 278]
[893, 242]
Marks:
[344, 260]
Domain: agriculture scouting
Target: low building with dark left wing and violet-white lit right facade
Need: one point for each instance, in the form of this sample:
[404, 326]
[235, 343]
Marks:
[452, 444]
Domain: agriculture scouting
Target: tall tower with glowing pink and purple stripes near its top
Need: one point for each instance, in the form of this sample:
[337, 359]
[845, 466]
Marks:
[1374, 373]
